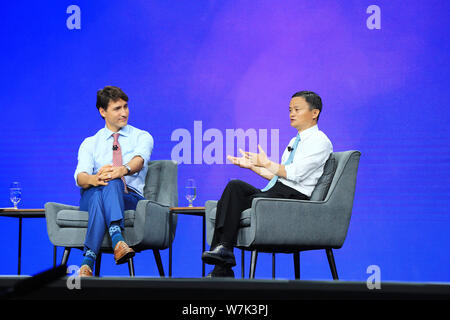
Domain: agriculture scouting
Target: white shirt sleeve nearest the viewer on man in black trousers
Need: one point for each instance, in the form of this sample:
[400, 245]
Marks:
[314, 156]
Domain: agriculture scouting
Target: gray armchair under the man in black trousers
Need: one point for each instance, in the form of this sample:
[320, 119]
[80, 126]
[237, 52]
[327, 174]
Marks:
[292, 226]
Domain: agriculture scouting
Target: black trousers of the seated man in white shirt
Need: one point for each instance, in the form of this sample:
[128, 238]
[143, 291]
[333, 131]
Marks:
[237, 197]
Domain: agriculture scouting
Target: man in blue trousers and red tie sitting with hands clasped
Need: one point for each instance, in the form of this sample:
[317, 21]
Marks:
[111, 170]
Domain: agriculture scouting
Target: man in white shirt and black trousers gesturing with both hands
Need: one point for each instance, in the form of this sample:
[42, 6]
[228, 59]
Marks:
[301, 166]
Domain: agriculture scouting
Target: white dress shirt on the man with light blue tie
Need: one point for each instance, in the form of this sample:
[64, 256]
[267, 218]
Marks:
[310, 156]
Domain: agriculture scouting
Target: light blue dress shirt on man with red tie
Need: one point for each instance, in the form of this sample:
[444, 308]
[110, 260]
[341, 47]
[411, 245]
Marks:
[96, 152]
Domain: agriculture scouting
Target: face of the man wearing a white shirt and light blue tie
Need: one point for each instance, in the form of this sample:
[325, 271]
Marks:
[301, 117]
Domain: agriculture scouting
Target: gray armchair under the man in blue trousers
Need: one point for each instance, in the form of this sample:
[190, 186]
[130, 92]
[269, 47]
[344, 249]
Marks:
[147, 227]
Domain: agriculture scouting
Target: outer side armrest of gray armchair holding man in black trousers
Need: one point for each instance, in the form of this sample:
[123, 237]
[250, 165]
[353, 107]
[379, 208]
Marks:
[289, 222]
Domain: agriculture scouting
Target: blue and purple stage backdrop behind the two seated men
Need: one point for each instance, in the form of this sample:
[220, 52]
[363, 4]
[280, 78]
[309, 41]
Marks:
[201, 70]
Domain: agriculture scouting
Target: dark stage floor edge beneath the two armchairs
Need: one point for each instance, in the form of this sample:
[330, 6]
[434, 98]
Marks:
[184, 289]
